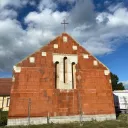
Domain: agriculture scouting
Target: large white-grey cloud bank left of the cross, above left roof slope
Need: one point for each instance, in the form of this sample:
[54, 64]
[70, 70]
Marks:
[16, 43]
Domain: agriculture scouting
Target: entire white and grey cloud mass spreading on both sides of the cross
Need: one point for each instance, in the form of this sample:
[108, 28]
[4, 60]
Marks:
[98, 33]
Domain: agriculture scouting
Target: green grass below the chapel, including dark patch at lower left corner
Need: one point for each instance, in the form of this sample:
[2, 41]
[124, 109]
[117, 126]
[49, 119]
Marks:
[121, 122]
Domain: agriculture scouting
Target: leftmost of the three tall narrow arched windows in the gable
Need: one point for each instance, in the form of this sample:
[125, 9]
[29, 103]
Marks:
[56, 74]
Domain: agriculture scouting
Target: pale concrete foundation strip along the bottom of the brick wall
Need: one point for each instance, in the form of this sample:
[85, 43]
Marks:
[60, 119]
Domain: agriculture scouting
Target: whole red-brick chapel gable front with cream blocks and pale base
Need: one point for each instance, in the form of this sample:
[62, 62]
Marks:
[62, 80]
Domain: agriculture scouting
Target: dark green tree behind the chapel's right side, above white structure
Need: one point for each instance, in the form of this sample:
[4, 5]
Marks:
[115, 83]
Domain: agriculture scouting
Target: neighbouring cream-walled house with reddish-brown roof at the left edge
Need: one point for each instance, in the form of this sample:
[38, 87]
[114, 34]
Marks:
[5, 89]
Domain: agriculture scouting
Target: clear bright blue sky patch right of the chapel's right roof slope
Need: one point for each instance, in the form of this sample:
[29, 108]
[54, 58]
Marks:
[117, 62]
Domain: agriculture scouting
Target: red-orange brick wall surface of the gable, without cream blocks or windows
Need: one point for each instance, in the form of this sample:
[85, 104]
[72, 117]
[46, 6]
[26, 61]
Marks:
[37, 81]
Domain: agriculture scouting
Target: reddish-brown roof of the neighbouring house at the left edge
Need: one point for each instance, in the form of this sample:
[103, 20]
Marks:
[5, 86]
